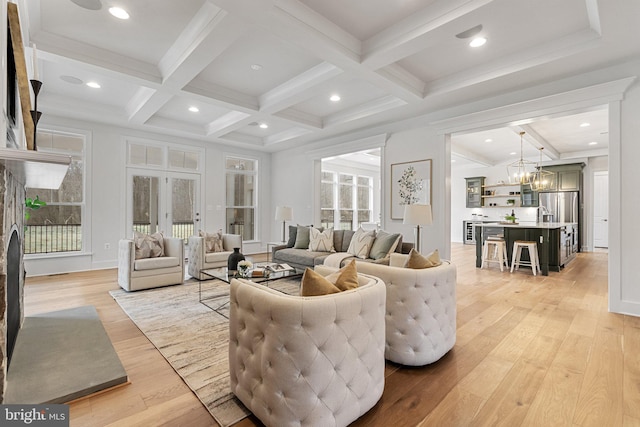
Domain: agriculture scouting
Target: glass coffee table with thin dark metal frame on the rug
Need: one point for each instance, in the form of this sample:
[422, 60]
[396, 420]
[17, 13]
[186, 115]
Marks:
[218, 301]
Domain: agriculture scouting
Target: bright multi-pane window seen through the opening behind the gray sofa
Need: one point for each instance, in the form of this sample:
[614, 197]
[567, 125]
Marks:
[345, 200]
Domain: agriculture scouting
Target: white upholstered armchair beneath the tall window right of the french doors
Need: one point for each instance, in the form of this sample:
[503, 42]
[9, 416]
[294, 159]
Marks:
[200, 259]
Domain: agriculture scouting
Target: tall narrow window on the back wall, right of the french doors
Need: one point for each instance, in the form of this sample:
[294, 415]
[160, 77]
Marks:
[241, 180]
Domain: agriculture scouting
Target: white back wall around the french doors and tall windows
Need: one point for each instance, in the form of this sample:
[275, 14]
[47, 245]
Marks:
[106, 201]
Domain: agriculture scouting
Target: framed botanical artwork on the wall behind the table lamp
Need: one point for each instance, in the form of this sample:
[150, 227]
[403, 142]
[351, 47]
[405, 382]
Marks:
[410, 184]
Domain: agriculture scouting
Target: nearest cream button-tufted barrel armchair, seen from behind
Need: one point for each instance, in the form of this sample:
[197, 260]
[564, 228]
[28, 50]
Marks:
[307, 361]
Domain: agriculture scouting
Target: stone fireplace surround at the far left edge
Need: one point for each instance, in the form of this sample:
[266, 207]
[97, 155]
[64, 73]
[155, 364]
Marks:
[12, 195]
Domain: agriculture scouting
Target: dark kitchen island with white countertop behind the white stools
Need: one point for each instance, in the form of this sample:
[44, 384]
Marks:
[557, 241]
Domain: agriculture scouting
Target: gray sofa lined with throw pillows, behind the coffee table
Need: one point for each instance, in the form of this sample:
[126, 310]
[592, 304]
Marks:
[302, 258]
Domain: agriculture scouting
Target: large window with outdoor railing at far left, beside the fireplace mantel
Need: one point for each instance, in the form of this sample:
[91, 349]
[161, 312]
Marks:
[57, 227]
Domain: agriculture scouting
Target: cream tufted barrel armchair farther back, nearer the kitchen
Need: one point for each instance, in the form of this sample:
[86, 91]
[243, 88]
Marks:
[421, 310]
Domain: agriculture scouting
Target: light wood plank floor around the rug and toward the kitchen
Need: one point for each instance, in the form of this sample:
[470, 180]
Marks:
[534, 351]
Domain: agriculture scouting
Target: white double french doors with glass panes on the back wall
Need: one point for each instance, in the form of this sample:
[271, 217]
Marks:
[168, 202]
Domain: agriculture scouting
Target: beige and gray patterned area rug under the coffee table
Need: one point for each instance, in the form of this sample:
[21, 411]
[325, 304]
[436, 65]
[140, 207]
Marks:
[193, 338]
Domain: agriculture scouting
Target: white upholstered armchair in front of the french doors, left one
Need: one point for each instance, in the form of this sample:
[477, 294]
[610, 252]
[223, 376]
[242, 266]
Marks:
[136, 274]
